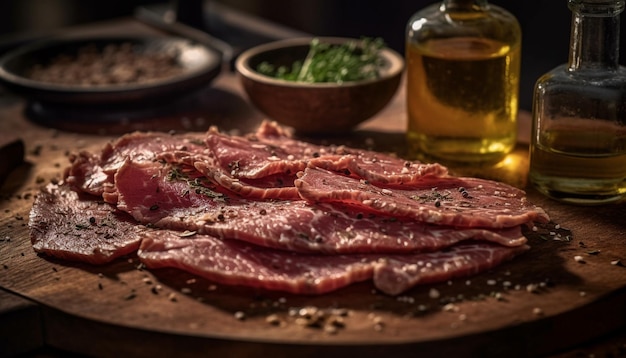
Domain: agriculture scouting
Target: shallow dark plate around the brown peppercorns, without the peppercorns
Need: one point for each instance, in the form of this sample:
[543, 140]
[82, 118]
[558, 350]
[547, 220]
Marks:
[200, 65]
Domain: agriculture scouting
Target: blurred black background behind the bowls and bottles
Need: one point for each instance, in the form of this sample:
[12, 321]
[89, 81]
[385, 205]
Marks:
[545, 24]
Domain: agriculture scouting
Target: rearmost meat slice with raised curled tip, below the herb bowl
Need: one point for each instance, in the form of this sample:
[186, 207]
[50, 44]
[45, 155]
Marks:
[272, 151]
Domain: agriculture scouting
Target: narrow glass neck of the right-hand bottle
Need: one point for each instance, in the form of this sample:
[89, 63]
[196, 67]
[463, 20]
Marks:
[594, 41]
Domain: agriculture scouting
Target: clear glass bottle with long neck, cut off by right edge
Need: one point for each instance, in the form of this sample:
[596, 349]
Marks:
[578, 143]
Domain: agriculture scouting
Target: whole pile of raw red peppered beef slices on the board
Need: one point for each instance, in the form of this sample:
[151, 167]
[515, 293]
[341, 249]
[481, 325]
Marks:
[269, 211]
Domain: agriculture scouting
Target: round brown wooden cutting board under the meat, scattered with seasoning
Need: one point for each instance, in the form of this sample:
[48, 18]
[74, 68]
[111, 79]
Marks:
[543, 301]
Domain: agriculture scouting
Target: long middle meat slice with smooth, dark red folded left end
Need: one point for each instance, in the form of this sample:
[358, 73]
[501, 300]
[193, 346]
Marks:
[169, 198]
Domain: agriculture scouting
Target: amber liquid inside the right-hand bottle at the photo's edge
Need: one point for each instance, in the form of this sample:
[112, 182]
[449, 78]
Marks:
[580, 161]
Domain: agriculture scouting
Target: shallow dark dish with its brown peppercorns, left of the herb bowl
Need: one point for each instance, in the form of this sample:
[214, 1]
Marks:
[108, 70]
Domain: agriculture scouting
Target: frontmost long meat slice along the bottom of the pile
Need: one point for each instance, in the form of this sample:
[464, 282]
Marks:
[238, 263]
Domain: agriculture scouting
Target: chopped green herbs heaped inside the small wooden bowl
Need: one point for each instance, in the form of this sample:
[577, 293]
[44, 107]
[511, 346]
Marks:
[325, 62]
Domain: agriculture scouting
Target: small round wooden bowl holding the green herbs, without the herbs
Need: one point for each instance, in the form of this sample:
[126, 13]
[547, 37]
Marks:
[313, 108]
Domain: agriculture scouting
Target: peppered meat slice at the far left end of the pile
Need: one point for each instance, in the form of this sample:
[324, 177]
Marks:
[75, 227]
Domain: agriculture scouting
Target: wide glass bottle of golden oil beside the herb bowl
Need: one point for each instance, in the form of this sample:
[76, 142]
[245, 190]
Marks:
[463, 65]
